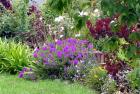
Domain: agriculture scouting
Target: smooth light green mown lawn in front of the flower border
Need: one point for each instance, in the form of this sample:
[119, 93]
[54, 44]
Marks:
[13, 85]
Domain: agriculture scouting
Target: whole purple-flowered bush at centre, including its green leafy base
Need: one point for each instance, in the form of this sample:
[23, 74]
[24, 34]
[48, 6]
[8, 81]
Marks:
[67, 59]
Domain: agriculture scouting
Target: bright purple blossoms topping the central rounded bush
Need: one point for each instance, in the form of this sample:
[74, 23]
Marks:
[69, 50]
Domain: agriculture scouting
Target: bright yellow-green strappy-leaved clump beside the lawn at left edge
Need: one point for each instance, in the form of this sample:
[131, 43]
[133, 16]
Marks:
[13, 56]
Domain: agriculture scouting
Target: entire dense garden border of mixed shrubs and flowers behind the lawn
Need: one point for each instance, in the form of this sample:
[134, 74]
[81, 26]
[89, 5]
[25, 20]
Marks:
[62, 33]
